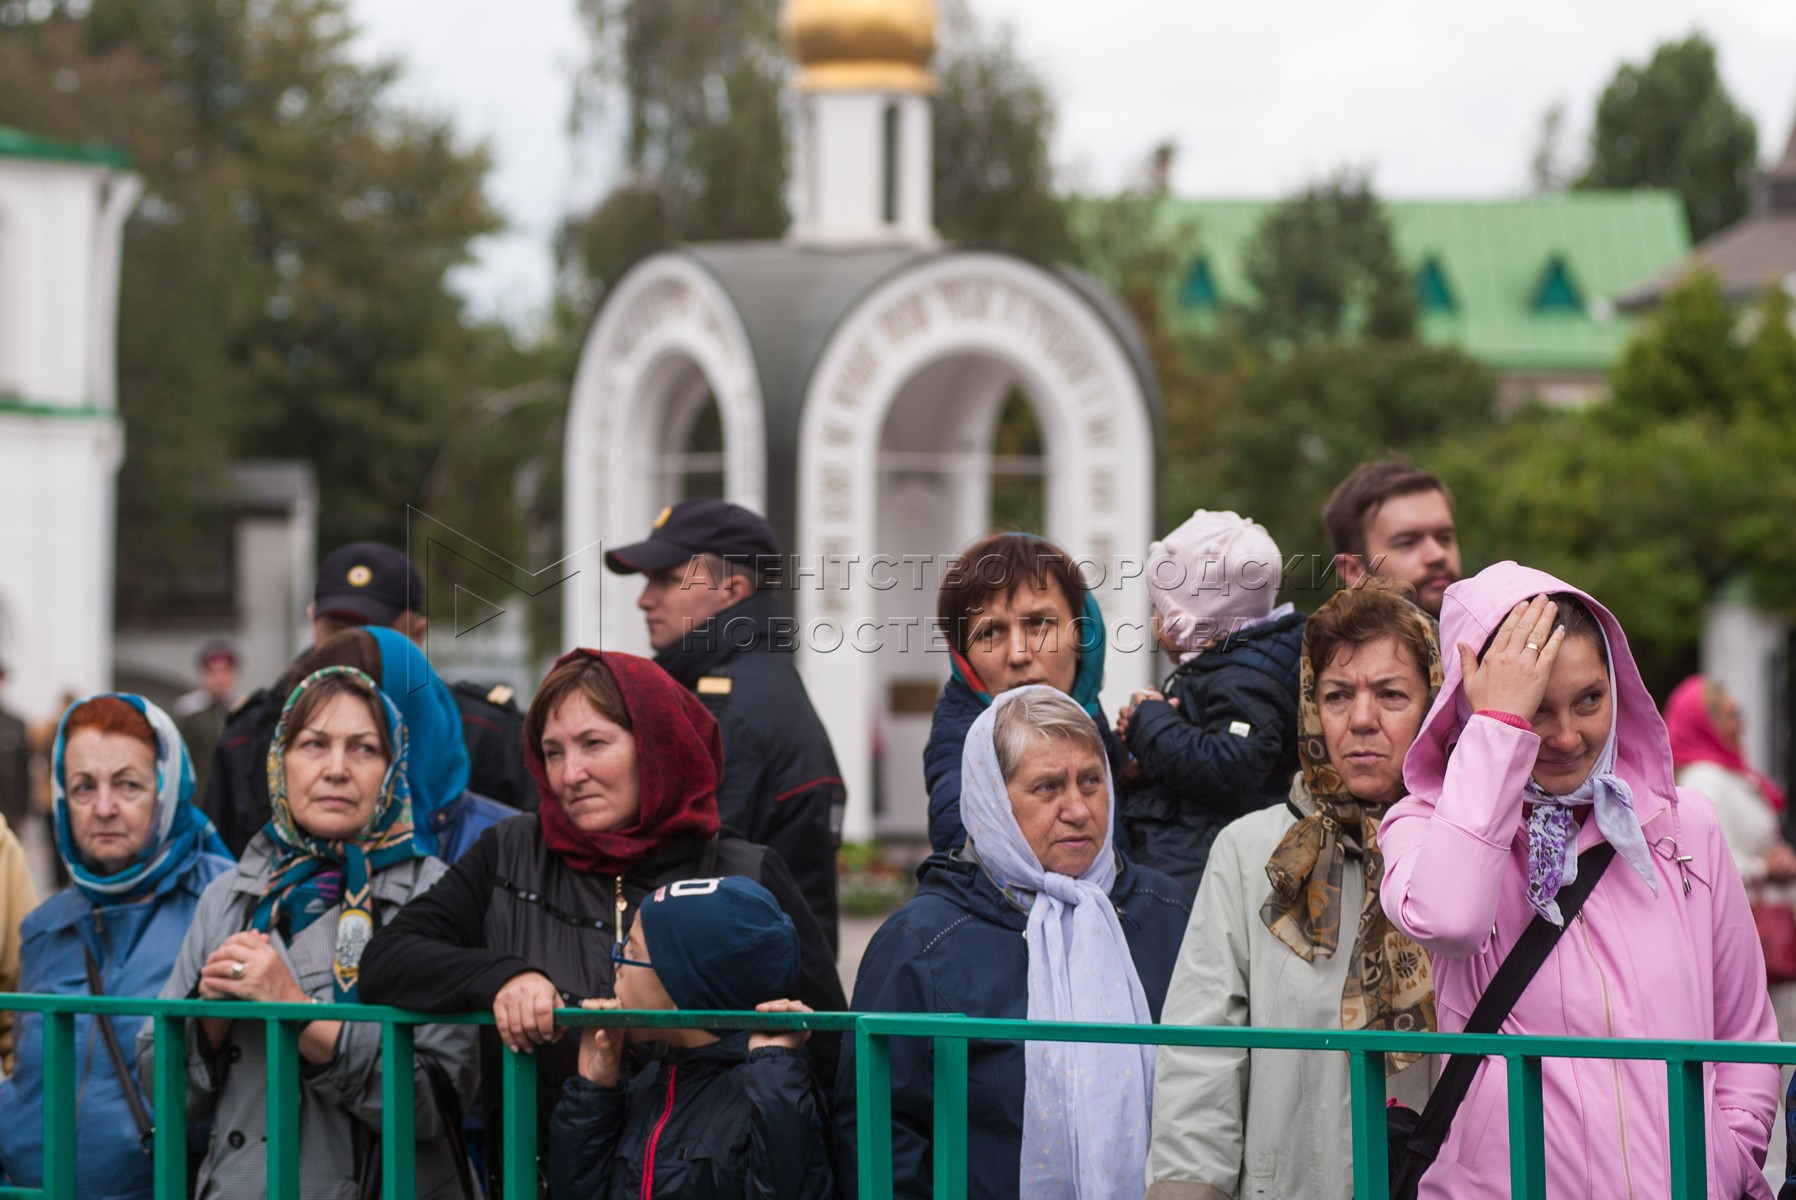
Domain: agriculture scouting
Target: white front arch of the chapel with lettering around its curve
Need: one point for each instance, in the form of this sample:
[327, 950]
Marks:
[1100, 477]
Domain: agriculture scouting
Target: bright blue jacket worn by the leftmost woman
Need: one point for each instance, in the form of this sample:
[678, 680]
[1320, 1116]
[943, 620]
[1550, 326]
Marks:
[134, 948]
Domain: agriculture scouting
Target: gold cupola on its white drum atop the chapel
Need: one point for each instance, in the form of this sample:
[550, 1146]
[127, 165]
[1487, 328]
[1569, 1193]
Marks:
[865, 146]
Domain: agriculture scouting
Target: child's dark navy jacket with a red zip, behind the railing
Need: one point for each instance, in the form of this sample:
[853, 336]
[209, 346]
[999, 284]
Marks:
[707, 1124]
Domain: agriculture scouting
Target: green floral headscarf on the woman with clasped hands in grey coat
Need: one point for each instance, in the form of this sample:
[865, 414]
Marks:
[312, 876]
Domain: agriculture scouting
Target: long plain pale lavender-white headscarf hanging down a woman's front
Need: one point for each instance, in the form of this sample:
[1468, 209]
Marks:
[1087, 1107]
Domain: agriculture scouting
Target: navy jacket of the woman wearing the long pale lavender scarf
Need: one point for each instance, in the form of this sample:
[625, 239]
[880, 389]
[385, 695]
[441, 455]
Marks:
[958, 948]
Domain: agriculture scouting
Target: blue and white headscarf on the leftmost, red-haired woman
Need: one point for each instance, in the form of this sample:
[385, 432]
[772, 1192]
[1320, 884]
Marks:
[179, 834]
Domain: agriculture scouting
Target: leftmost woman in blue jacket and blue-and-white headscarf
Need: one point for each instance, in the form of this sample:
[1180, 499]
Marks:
[141, 856]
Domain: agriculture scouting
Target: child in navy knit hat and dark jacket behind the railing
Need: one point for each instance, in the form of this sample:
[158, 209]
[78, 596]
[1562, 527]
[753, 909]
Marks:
[692, 1115]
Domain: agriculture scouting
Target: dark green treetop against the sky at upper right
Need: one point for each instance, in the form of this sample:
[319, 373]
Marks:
[1673, 125]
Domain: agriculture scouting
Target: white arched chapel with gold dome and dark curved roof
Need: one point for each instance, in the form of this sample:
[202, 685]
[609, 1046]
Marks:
[852, 378]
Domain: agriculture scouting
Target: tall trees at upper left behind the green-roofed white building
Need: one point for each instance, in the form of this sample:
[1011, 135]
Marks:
[285, 279]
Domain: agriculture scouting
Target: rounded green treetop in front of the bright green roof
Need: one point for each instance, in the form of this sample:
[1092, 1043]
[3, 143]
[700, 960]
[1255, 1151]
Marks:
[1323, 265]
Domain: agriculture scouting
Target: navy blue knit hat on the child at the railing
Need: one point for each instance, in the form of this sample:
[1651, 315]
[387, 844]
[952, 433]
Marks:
[719, 944]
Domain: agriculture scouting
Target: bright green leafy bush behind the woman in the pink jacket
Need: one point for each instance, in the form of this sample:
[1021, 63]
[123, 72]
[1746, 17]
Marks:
[1655, 502]
